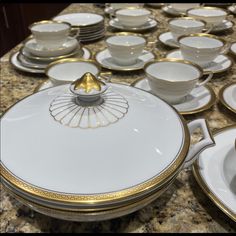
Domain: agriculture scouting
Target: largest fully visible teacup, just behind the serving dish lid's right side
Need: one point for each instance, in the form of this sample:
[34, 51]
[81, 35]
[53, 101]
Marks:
[173, 79]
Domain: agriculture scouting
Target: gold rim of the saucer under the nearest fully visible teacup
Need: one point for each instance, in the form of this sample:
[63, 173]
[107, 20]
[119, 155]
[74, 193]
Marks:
[198, 110]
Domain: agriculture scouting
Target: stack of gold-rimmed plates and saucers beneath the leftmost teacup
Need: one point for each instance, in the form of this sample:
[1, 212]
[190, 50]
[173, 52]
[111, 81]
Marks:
[33, 58]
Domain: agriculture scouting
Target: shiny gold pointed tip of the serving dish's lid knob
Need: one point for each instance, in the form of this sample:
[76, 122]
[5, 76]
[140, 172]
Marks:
[88, 82]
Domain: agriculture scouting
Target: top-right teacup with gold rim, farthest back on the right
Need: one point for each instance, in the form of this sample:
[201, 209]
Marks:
[212, 15]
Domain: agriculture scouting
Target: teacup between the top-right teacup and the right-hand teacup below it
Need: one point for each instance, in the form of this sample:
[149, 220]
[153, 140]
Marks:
[186, 25]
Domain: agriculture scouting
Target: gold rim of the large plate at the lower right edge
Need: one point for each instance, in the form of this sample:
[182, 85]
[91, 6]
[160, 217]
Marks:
[206, 189]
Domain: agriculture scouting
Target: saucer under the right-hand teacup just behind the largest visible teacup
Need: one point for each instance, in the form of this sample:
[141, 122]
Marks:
[220, 64]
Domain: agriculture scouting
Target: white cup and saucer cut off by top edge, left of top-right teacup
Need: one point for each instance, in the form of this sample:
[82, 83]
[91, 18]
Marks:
[178, 9]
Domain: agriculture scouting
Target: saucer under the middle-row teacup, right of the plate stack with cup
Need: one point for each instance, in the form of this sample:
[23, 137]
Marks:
[105, 60]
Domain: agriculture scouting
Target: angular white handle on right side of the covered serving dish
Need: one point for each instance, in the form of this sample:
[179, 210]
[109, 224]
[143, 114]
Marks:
[205, 142]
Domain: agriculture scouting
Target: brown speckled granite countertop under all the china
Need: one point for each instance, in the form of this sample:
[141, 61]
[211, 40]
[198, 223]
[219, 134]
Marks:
[182, 208]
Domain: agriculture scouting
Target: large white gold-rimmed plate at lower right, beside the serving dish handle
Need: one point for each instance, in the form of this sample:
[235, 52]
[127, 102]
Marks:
[218, 183]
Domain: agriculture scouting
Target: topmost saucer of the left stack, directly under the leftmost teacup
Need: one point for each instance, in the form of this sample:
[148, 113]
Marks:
[40, 51]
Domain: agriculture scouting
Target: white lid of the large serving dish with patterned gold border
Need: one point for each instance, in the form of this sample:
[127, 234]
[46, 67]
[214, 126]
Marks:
[91, 165]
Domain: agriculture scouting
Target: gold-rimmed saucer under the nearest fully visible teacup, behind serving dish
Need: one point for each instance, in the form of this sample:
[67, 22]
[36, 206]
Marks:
[200, 99]
